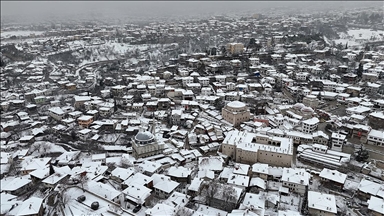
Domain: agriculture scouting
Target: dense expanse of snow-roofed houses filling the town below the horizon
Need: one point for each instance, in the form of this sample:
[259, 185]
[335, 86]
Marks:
[246, 129]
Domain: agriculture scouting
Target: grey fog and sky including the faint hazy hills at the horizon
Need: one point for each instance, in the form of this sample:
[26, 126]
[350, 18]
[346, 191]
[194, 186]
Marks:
[51, 10]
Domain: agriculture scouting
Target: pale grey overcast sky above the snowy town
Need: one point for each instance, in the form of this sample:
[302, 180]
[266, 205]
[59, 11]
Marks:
[46, 9]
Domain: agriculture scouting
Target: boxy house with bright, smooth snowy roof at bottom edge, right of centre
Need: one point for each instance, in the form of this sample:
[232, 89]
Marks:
[321, 204]
